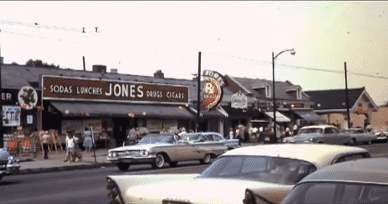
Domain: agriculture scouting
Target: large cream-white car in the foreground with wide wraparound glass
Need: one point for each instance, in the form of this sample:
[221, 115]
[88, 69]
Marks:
[268, 170]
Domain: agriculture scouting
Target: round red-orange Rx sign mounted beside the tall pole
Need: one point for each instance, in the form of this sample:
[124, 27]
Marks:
[212, 92]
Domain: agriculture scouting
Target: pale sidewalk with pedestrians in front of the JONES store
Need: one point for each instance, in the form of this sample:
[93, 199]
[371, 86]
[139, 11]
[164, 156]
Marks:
[55, 162]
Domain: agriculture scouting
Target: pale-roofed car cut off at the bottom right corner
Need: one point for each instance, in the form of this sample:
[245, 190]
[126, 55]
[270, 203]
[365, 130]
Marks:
[361, 181]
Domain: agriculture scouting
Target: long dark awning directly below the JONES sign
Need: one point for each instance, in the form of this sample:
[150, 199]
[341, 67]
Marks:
[71, 109]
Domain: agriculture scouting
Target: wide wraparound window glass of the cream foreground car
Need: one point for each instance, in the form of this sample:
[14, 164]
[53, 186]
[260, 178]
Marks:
[259, 168]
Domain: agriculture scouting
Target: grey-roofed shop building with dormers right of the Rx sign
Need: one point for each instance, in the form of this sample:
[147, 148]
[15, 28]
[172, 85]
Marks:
[249, 103]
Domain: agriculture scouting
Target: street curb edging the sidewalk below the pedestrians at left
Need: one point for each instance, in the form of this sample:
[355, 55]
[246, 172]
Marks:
[64, 168]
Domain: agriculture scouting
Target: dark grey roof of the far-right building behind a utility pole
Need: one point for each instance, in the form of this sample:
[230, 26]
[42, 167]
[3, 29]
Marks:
[334, 98]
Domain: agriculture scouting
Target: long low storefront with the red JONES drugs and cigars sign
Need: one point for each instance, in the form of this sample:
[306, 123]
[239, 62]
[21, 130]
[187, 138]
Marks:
[69, 99]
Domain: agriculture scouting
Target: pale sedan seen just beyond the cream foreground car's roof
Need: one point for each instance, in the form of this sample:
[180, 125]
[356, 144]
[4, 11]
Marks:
[320, 134]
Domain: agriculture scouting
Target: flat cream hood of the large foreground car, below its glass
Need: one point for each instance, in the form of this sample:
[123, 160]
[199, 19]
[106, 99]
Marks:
[193, 189]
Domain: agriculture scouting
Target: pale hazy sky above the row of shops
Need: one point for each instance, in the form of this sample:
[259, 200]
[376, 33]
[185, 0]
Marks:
[234, 37]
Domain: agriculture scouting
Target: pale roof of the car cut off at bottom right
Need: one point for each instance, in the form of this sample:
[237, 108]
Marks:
[371, 170]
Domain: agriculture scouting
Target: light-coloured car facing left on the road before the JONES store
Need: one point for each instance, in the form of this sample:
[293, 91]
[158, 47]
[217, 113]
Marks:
[158, 149]
